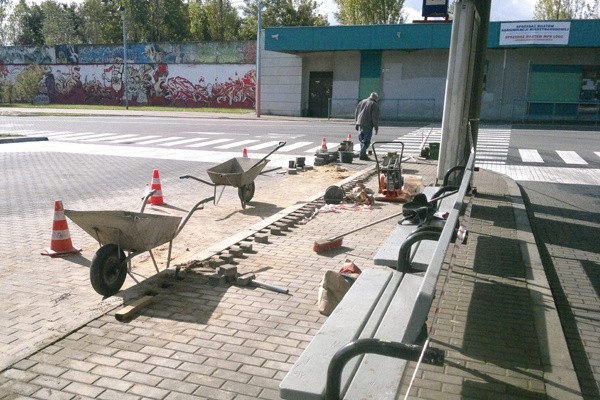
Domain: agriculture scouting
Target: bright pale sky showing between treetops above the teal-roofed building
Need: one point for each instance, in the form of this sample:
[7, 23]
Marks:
[502, 10]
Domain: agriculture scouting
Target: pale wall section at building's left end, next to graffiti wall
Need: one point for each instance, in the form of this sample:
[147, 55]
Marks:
[281, 83]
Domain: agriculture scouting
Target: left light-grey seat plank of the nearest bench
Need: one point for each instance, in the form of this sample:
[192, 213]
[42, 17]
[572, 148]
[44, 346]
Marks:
[308, 376]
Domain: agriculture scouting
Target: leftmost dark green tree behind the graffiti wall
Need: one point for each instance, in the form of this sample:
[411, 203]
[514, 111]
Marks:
[25, 25]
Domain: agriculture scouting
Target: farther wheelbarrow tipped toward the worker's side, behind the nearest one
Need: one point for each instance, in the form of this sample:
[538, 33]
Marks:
[238, 172]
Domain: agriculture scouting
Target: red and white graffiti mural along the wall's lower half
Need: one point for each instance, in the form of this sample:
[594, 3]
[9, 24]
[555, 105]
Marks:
[224, 86]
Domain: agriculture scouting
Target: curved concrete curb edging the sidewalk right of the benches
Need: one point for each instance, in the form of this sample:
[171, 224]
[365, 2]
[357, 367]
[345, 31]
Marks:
[559, 372]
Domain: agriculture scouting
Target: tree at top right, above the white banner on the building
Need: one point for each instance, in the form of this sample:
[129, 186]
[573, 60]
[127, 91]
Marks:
[566, 9]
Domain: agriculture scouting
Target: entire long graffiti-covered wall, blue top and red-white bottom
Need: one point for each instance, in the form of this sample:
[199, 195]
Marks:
[182, 75]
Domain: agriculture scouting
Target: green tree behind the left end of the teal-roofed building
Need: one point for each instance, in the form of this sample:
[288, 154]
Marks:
[280, 13]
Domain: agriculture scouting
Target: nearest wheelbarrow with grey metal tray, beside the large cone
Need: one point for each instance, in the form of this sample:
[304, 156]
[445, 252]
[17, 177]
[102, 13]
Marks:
[120, 232]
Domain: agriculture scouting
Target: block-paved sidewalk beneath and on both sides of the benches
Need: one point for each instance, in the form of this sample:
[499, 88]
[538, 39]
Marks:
[497, 322]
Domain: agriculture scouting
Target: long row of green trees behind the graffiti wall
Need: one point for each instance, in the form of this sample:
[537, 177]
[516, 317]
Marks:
[53, 22]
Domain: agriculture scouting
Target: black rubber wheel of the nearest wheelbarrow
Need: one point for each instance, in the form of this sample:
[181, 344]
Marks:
[108, 270]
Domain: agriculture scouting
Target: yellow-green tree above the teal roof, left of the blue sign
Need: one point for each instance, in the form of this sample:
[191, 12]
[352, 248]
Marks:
[368, 12]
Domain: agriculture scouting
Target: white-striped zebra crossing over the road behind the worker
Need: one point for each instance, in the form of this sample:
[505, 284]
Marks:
[493, 144]
